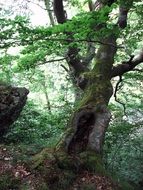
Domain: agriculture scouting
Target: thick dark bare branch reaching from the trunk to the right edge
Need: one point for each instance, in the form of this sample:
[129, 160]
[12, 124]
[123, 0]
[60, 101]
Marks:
[127, 66]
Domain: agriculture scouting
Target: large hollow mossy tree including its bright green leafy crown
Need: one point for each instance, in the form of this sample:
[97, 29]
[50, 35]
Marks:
[90, 43]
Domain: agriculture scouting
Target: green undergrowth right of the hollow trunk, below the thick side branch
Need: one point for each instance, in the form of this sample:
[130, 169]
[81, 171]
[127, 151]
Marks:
[124, 139]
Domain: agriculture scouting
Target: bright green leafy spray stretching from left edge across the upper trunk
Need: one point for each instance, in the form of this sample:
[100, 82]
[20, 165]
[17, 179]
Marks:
[43, 41]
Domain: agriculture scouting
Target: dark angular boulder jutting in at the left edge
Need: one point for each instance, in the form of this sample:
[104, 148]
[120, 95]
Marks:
[12, 100]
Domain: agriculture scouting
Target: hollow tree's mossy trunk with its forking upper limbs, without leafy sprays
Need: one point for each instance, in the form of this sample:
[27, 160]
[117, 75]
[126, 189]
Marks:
[91, 118]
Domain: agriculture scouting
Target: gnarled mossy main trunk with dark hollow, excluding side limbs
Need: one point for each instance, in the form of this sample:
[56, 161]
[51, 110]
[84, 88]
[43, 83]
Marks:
[91, 118]
